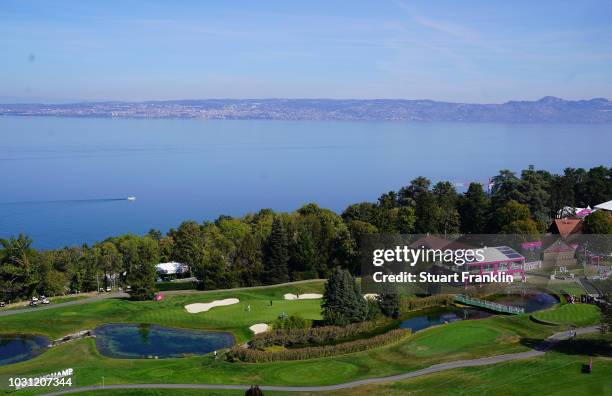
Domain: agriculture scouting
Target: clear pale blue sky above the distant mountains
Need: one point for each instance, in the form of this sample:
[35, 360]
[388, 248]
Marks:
[470, 51]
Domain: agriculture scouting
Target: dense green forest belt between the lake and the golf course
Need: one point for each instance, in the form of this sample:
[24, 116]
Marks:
[268, 247]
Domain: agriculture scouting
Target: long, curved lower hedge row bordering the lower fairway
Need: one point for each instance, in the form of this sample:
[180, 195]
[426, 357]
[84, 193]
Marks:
[257, 356]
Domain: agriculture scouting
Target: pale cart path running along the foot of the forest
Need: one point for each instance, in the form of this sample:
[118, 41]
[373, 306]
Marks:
[104, 296]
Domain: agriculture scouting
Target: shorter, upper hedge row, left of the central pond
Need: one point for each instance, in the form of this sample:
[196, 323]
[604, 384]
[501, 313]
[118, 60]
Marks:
[311, 336]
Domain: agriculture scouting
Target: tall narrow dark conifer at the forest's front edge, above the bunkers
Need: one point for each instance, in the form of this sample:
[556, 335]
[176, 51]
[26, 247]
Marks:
[277, 257]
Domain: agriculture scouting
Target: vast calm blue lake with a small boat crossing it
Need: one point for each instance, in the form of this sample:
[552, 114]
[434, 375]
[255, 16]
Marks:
[60, 175]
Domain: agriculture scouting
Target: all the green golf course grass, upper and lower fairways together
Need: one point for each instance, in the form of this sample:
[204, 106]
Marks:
[459, 340]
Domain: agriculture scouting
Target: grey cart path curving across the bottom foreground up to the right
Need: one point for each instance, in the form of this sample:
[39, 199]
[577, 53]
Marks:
[539, 351]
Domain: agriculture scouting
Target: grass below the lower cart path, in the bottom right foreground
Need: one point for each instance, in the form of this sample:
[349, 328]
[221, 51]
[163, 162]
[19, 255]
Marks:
[552, 374]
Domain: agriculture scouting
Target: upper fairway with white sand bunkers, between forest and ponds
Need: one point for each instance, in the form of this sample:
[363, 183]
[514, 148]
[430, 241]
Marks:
[171, 312]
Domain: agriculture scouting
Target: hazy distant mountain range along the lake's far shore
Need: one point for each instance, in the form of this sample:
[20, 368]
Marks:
[547, 110]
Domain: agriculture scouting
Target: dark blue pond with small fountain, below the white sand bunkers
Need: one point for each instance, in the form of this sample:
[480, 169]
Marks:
[145, 341]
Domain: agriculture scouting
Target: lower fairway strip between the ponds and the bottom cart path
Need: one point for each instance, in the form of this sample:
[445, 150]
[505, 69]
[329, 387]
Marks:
[480, 338]
